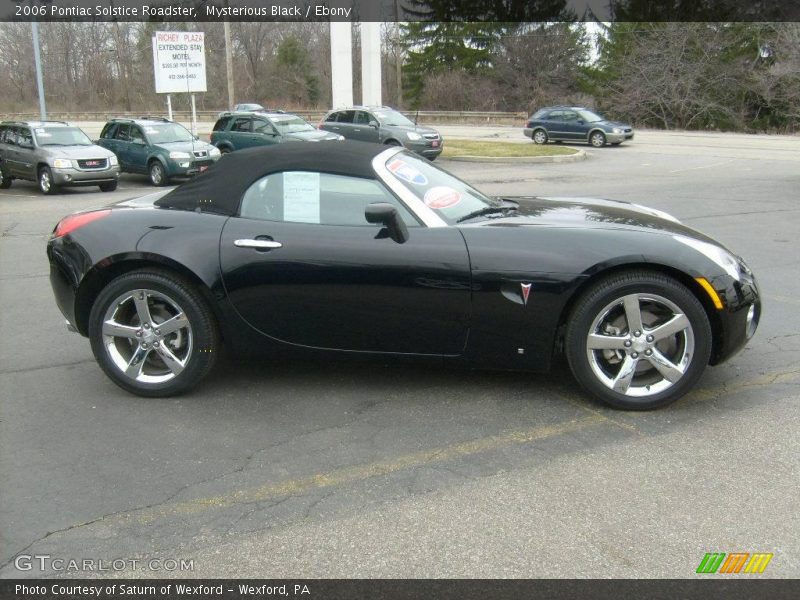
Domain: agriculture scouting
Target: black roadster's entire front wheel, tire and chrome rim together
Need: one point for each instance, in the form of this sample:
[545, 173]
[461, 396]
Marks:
[599, 364]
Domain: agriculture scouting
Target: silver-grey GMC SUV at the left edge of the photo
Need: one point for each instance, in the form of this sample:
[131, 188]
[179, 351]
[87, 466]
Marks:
[54, 154]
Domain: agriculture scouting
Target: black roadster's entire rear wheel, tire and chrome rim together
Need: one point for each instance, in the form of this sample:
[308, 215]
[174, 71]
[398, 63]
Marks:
[194, 342]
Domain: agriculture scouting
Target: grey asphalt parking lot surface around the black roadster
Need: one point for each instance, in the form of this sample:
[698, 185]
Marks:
[368, 470]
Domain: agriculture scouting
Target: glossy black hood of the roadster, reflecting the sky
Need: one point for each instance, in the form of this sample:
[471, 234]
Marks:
[591, 212]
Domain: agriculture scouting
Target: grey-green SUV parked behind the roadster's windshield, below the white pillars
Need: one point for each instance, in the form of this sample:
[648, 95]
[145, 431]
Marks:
[383, 125]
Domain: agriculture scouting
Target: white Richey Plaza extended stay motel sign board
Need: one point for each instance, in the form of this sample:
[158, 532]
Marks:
[179, 62]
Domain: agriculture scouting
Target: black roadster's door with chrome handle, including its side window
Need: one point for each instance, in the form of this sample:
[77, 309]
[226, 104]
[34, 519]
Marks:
[328, 279]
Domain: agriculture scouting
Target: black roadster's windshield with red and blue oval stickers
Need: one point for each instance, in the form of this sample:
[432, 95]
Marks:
[445, 194]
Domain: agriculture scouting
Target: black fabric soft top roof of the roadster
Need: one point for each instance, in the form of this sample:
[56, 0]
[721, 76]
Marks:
[221, 187]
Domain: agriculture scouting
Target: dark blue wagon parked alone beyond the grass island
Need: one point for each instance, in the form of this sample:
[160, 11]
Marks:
[575, 124]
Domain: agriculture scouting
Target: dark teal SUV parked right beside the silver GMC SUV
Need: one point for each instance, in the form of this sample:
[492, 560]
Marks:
[157, 147]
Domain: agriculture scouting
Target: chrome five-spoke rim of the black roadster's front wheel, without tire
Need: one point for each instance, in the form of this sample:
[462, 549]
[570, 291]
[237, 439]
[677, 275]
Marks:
[640, 345]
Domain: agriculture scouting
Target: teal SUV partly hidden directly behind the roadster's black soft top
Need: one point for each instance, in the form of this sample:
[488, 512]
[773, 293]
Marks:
[237, 130]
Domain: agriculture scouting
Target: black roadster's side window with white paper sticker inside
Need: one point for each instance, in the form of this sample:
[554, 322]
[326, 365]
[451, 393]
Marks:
[319, 198]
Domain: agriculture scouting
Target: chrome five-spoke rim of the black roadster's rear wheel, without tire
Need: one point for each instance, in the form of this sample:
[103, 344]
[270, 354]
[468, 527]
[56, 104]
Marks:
[147, 336]
